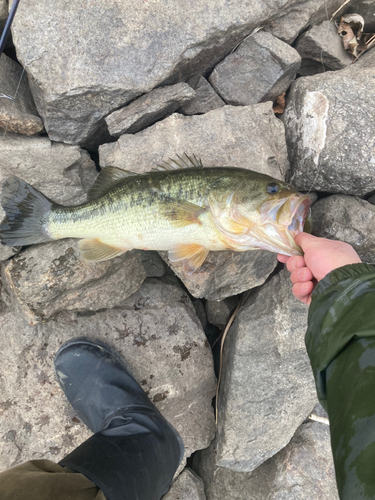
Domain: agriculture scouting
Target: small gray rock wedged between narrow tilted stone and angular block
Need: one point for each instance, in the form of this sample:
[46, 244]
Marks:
[206, 99]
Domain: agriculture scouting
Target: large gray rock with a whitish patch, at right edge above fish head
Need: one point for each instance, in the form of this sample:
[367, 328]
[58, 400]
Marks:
[329, 122]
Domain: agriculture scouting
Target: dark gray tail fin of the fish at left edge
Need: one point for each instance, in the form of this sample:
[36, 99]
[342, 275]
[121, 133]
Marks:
[26, 211]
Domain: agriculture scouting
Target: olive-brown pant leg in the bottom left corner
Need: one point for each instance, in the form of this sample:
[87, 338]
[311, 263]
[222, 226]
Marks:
[45, 480]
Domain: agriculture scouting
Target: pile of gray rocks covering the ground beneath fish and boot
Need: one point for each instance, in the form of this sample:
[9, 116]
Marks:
[130, 86]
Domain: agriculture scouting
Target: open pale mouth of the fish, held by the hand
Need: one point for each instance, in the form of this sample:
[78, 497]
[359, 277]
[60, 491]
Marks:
[283, 220]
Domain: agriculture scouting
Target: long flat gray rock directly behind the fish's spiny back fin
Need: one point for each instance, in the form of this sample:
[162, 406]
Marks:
[248, 137]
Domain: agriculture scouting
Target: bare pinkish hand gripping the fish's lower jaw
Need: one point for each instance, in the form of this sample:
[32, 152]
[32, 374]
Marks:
[321, 256]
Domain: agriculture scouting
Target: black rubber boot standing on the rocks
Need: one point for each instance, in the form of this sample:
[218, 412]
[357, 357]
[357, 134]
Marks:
[135, 451]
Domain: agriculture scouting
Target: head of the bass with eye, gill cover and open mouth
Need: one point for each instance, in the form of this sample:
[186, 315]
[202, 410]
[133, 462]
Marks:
[265, 213]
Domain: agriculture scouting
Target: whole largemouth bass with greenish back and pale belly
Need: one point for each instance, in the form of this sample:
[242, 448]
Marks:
[180, 207]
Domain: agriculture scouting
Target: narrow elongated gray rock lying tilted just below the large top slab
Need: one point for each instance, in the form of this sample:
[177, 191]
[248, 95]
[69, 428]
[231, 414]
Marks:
[149, 109]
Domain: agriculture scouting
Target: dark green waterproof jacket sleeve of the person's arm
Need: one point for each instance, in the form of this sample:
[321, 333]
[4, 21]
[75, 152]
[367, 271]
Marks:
[340, 342]
